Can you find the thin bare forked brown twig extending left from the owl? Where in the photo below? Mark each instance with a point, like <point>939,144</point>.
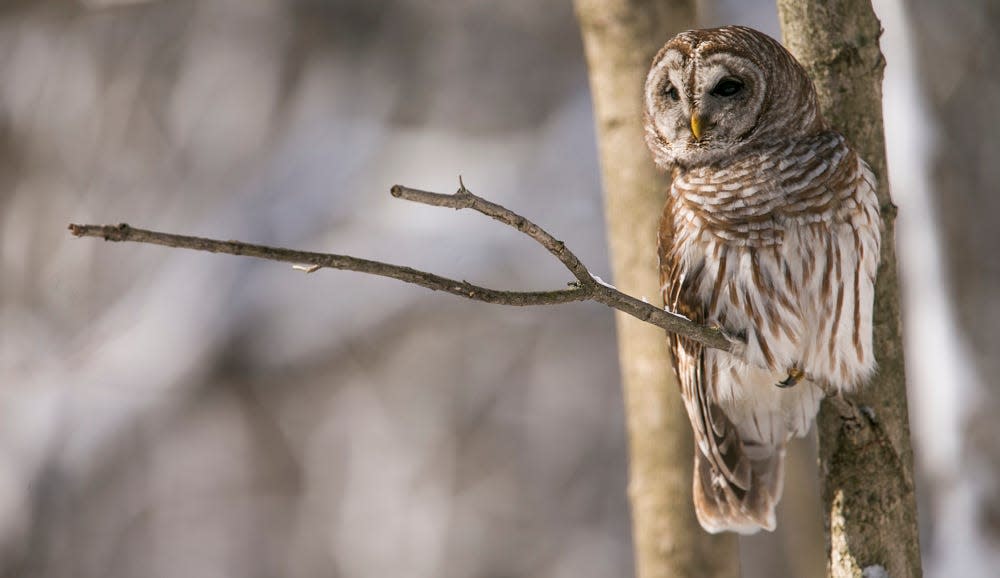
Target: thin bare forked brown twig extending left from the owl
<point>586,288</point>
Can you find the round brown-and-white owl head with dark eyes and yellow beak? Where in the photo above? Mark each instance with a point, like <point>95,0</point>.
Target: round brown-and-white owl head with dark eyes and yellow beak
<point>712,93</point>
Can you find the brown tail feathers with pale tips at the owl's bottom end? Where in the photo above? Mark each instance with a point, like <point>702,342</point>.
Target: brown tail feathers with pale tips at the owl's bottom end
<point>722,505</point>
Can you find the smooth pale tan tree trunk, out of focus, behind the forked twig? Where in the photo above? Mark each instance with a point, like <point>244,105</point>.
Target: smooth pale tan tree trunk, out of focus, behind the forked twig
<point>620,39</point>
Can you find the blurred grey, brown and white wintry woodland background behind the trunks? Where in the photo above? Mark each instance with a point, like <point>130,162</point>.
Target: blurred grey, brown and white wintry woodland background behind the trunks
<point>168,413</point>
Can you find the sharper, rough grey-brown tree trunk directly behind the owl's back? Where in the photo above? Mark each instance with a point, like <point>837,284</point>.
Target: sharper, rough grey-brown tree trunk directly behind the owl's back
<point>868,490</point>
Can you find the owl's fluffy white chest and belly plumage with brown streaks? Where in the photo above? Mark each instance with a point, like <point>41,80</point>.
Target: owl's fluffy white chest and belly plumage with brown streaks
<point>781,245</point>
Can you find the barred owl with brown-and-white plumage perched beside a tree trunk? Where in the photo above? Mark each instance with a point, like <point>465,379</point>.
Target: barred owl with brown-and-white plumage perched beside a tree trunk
<point>771,232</point>
